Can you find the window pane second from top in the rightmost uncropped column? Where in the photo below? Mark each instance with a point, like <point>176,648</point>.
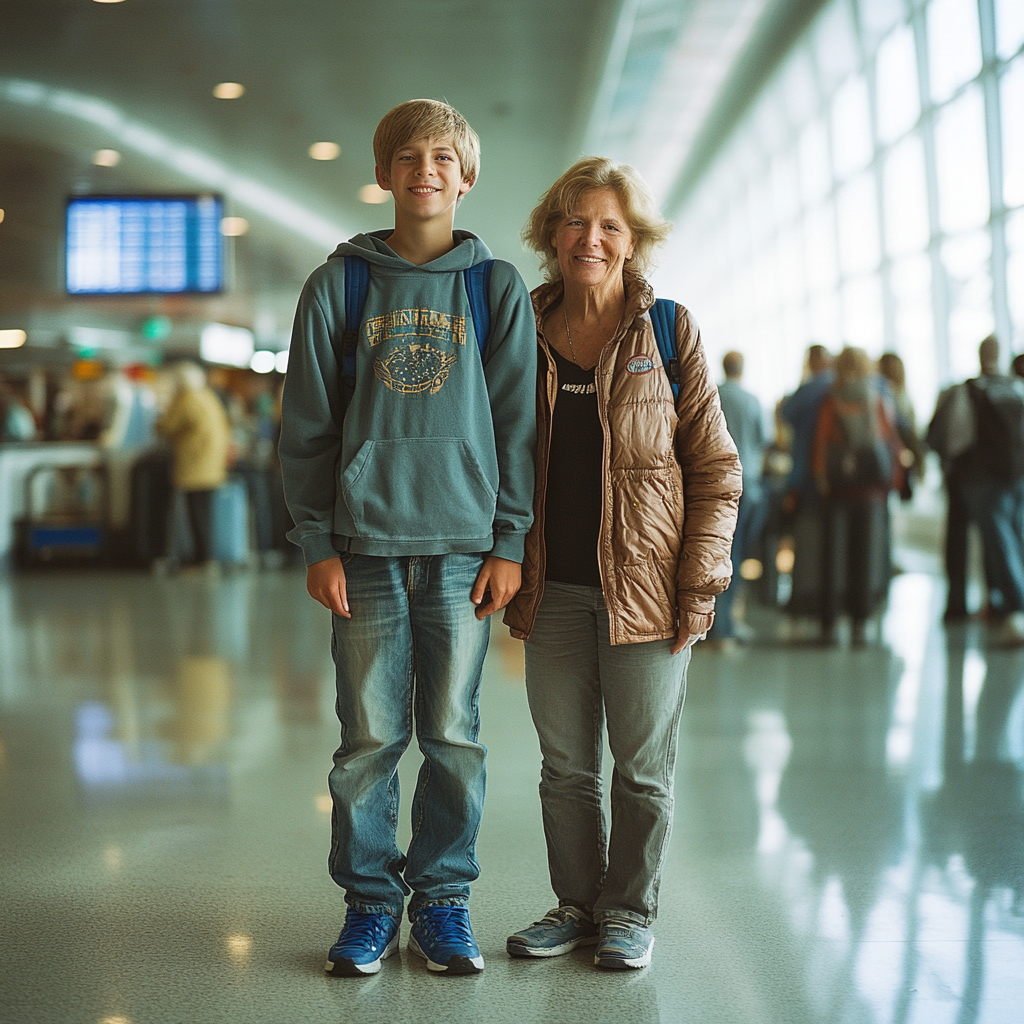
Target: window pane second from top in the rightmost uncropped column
<point>962,163</point>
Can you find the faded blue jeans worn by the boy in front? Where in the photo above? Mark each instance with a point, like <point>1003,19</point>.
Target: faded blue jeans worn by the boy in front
<point>413,652</point>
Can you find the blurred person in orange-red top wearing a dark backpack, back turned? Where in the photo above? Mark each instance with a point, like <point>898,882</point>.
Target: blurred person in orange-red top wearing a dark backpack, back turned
<point>856,460</point>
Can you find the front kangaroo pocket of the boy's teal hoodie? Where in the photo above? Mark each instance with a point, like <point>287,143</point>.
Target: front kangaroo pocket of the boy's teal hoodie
<point>418,489</point>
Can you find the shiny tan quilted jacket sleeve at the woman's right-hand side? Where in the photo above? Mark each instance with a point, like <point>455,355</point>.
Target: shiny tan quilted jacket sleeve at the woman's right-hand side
<point>712,483</point>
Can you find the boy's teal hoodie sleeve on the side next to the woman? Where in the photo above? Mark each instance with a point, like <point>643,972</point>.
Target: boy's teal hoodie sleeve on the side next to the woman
<point>510,370</point>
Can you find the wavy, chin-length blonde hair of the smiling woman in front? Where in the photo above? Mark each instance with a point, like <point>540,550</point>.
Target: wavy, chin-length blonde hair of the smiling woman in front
<point>647,226</point>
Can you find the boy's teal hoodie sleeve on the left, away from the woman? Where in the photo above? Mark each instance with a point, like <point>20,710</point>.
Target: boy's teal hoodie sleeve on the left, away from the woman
<point>311,425</point>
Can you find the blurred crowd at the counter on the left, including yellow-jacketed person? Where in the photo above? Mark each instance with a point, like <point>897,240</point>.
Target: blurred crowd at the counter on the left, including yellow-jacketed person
<point>187,431</point>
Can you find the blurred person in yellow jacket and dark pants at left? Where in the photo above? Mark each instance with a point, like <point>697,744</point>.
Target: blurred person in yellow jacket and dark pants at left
<point>197,428</point>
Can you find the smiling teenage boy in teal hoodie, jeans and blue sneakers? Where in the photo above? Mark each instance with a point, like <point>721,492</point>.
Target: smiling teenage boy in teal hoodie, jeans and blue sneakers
<point>412,493</point>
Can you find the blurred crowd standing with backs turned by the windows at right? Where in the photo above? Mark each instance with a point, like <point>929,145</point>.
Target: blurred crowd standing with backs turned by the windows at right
<point>818,495</point>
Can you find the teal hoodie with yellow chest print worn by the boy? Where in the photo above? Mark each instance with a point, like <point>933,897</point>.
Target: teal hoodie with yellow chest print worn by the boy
<point>435,453</point>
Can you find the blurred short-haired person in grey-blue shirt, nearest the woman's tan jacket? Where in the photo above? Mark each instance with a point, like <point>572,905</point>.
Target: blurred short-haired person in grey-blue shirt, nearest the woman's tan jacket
<point>745,419</point>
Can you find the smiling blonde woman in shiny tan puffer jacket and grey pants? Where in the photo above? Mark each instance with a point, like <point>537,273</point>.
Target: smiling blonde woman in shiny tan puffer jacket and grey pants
<point>634,513</point>
